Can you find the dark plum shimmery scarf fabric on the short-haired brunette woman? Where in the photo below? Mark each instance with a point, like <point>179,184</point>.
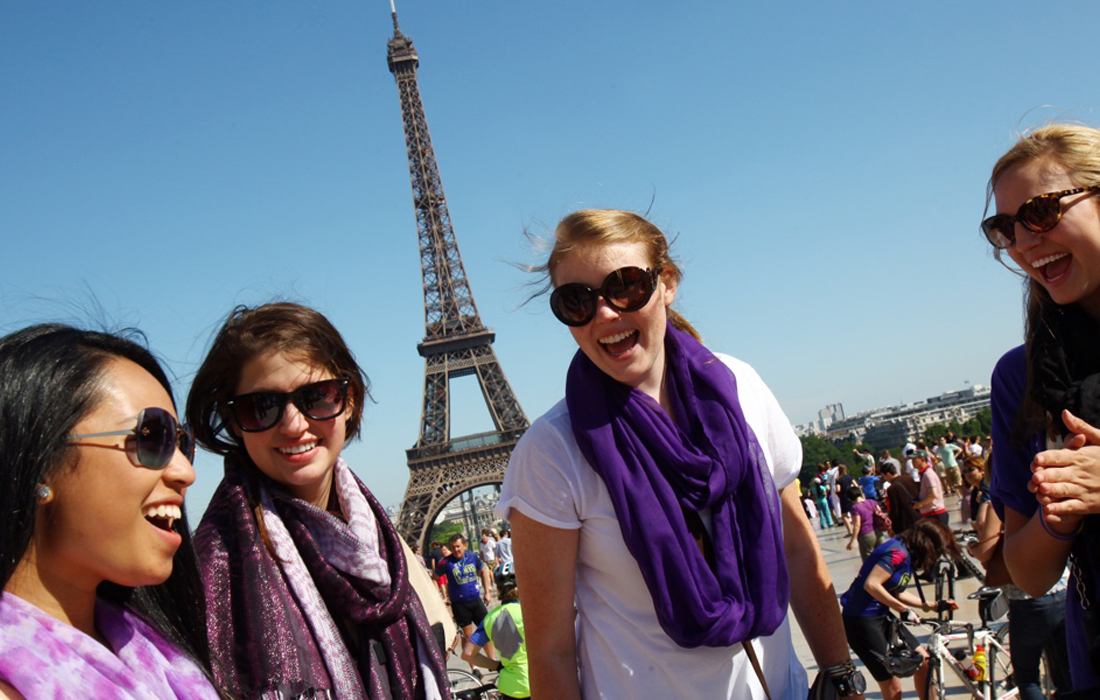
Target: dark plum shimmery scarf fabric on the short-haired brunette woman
<point>262,636</point>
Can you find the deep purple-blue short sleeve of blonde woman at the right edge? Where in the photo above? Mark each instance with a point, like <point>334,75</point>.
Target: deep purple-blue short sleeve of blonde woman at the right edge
<point>1011,469</point>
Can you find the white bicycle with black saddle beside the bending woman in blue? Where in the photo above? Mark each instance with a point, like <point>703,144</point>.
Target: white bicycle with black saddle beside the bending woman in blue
<point>953,646</point>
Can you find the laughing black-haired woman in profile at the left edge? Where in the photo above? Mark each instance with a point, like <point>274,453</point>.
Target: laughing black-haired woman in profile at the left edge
<point>101,592</point>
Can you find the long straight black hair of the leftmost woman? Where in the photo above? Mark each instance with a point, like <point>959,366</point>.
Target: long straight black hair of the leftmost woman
<point>52,377</point>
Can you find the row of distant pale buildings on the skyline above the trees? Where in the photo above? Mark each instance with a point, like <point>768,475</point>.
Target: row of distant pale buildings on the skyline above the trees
<point>897,425</point>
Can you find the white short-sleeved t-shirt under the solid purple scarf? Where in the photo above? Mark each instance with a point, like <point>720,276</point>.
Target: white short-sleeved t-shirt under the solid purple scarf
<point>622,651</point>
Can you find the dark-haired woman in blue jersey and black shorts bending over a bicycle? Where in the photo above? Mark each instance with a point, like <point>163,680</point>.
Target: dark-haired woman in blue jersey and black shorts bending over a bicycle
<point>881,587</point>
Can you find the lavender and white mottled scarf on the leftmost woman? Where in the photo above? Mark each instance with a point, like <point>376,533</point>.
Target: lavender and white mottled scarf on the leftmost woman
<point>43,658</point>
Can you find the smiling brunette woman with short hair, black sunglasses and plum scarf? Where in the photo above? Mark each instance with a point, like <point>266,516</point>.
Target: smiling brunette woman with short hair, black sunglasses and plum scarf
<point>310,588</point>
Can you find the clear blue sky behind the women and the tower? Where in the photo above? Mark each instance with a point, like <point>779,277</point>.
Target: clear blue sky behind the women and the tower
<point>822,167</point>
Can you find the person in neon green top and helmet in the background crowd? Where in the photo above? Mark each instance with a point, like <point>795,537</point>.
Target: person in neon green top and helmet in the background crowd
<point>504,628</point>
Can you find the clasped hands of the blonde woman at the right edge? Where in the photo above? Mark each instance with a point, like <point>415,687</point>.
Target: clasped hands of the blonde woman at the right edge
<point>1066,482</point>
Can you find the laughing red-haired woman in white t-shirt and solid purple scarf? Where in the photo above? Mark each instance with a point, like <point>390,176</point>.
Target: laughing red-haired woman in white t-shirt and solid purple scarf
<point>659,496</point>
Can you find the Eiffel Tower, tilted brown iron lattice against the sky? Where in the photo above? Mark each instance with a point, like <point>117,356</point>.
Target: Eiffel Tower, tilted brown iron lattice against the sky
<point>456,342</point>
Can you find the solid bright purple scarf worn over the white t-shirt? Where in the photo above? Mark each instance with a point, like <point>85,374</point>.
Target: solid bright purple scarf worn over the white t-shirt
<point>661,471</point>
